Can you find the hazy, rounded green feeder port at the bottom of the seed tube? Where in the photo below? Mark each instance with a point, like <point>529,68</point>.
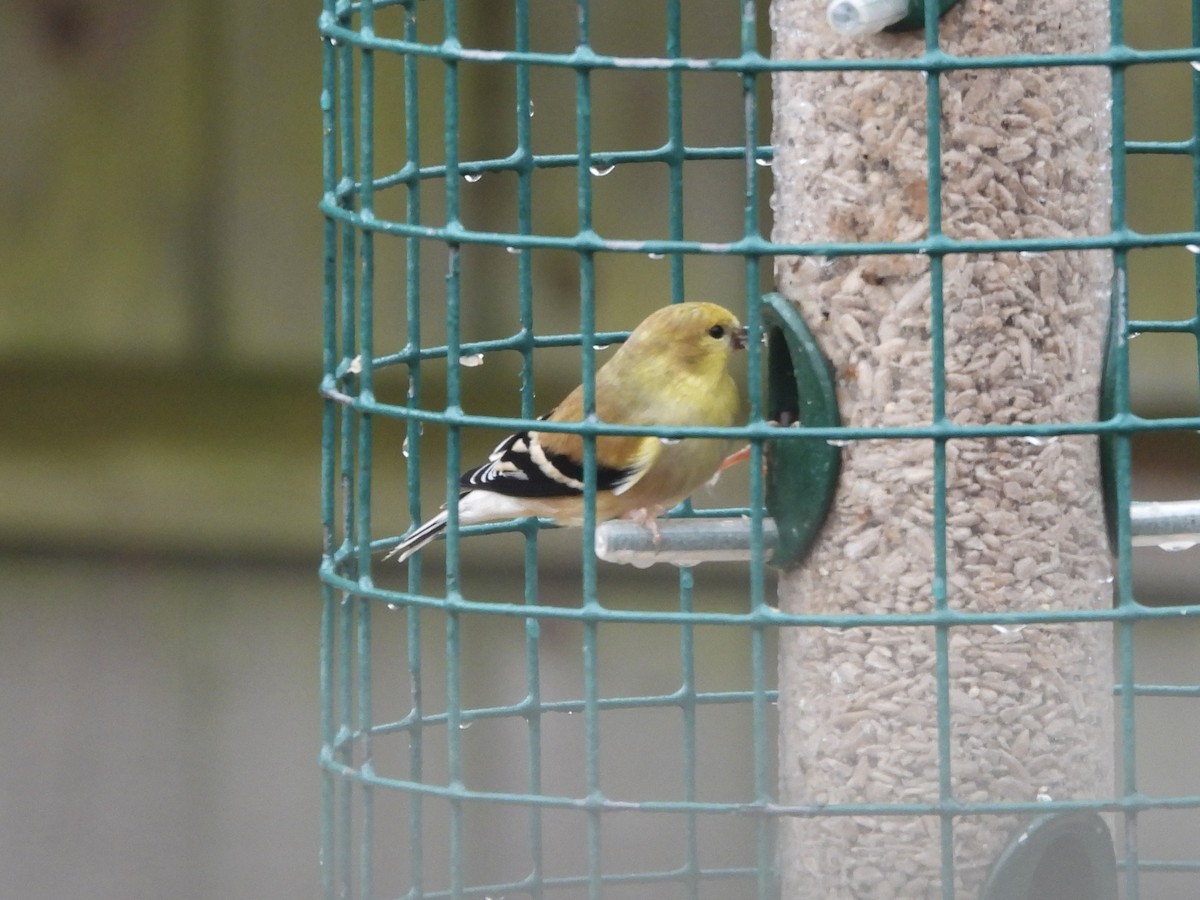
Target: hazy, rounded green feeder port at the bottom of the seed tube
<point>1058,857</point>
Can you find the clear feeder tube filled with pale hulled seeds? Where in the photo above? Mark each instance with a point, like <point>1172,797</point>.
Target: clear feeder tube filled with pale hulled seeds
<point>951,290</point>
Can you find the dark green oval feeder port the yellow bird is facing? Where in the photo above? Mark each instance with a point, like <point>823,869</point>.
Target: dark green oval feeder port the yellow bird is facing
<point>802,475</point>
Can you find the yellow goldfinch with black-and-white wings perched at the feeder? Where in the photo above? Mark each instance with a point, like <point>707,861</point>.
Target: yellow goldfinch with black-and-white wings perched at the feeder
<point>671,371</point>
